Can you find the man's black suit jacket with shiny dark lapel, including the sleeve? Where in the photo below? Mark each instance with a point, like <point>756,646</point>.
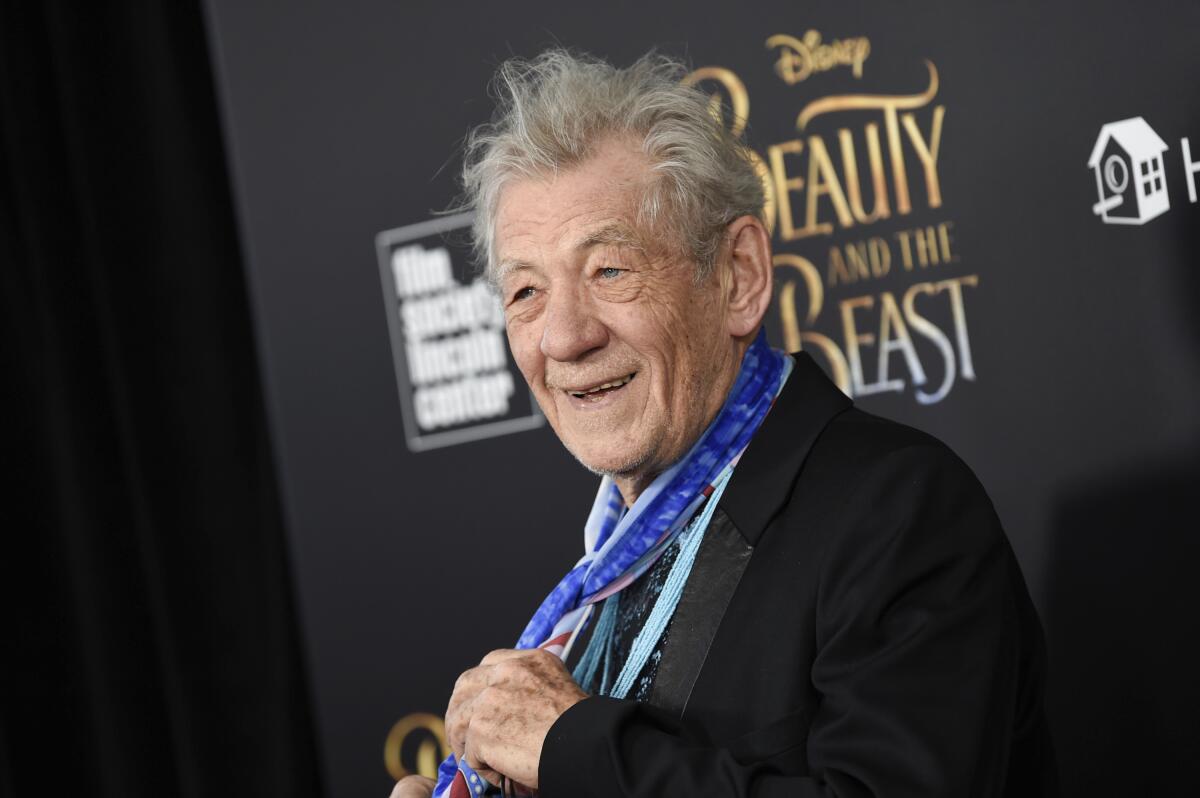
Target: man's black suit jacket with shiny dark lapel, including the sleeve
<point>856,625</point>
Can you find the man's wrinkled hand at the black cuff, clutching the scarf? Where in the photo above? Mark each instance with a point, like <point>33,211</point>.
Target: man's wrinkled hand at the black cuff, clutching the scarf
<point>501,711</point>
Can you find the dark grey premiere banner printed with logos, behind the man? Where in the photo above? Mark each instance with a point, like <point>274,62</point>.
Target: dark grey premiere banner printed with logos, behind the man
<point>986,225</point>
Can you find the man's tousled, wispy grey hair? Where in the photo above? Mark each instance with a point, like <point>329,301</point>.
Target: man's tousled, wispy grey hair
<point>556,110</point>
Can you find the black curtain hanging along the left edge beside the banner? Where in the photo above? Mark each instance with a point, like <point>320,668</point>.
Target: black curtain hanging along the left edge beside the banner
<point>149,637</point>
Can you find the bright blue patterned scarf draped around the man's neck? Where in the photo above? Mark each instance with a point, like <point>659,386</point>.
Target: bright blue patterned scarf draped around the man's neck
<point>621,547</point>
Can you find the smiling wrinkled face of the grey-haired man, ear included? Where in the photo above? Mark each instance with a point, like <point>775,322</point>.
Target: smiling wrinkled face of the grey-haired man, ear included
<point>627,356</point>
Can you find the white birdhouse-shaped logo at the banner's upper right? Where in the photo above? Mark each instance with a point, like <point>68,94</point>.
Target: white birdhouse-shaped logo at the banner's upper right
<point>1127,160</point>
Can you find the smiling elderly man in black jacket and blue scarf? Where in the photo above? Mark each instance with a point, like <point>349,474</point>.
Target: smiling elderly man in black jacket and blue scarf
<point>781,595</point>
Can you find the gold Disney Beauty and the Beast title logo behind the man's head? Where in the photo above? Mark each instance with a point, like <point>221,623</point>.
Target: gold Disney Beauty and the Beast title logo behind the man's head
<point>878,297</point>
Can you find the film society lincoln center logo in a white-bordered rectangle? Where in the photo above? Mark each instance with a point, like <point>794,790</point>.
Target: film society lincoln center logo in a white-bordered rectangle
<point>457,379</point>
